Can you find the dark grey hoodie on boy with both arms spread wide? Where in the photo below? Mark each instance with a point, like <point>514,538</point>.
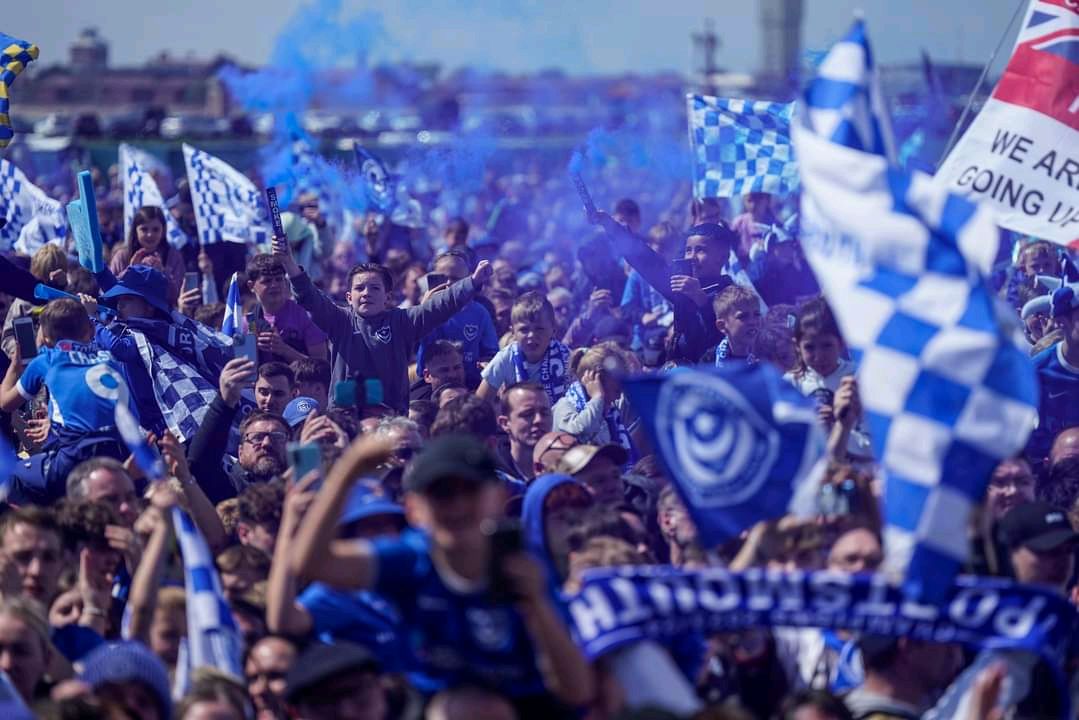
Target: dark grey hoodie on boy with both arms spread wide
<point>380,347</point>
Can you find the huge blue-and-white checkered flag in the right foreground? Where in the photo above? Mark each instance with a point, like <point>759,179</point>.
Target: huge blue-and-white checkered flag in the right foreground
<point>904,265</point>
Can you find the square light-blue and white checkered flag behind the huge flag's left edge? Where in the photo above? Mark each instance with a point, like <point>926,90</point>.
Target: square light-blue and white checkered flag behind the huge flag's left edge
<point>741,146</point>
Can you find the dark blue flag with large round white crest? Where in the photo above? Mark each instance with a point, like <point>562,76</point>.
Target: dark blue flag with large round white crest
<point>739,442</point>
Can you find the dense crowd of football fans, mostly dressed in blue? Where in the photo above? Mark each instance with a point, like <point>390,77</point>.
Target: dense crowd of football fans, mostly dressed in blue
<point>462,381</point>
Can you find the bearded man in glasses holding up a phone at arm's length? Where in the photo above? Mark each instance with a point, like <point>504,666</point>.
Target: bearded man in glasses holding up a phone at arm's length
<point>264,437</point>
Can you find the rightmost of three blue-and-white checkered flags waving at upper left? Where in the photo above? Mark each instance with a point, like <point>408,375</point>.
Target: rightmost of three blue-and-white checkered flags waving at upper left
<point>228,207</point>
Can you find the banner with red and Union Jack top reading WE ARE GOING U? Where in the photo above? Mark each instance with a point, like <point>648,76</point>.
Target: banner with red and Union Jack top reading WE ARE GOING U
<point>1021,155</point>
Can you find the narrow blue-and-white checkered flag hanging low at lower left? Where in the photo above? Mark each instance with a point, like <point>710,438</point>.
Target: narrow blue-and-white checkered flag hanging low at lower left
<point>213,637</point>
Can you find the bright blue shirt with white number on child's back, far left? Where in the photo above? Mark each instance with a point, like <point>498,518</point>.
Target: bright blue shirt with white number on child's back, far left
<point>85,384</point>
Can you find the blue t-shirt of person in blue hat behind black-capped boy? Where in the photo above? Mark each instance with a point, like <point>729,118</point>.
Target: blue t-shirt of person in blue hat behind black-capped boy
<point>363,618</point>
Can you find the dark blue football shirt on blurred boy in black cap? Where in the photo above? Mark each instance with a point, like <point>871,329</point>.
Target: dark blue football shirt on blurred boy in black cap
<point>458,637</point>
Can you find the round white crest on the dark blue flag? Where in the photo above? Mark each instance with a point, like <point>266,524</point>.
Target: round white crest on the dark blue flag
<point>721,445</point>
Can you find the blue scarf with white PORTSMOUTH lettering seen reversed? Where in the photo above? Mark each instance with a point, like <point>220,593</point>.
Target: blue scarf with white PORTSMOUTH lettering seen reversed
<point>623,606</point>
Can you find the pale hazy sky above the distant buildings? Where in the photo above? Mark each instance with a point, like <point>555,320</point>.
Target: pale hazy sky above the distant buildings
<point>578,36</point>
